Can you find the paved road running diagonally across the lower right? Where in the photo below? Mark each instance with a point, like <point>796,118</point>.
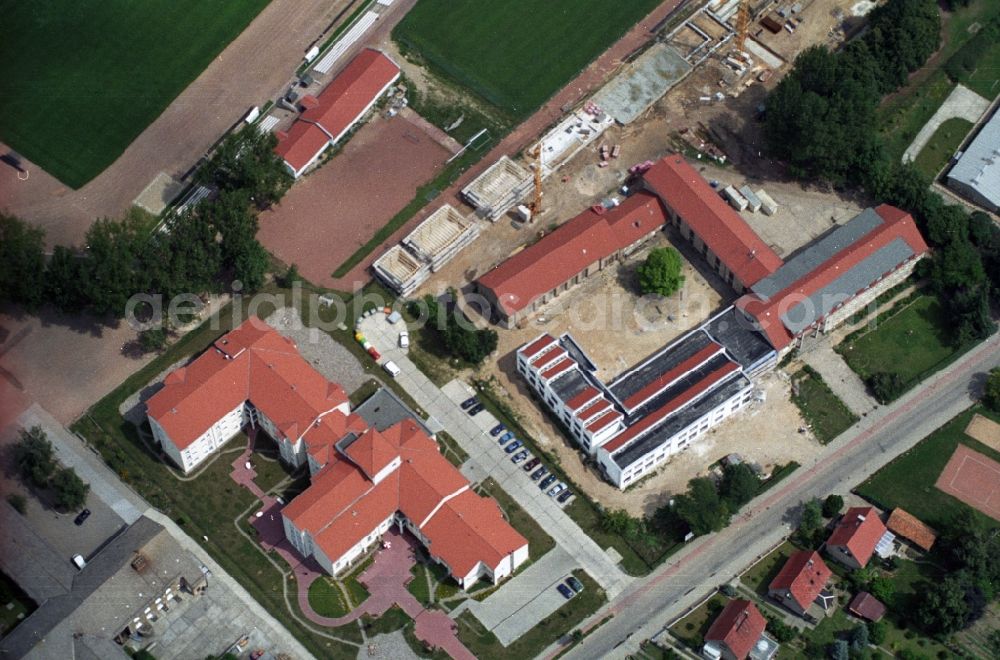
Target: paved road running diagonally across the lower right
<point>716,559</point>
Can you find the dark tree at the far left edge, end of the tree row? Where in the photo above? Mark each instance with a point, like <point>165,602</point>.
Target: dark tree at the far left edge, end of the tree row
<point>22,262</point>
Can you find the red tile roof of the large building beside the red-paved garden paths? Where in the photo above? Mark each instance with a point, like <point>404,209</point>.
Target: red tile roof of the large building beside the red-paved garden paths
<point>342,505</point>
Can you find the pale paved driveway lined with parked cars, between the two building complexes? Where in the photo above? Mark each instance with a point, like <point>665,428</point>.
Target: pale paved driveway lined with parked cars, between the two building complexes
<point>487,460</point>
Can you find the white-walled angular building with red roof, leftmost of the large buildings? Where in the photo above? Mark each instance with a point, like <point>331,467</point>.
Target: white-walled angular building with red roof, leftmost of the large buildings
<point>250,376</point>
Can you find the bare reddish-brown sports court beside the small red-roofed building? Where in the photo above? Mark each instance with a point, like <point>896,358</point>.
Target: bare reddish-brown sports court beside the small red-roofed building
<point>335,210</point>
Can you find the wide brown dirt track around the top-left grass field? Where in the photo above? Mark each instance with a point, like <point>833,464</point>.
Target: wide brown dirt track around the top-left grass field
<point>255,66</point>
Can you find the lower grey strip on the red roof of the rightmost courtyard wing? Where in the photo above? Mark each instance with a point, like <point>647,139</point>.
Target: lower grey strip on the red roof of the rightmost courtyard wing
<point>842,289</point>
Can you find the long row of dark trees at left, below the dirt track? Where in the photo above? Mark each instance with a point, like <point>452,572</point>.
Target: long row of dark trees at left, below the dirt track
<point>205,245</point>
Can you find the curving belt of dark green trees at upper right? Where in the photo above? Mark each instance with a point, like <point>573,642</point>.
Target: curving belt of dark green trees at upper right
<point>821,120</point>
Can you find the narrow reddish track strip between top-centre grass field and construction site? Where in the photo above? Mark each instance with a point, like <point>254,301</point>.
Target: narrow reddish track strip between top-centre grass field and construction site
<point>589,80</point>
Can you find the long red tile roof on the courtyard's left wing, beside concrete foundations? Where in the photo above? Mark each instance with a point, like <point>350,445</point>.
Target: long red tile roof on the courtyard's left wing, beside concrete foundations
<point>559,256</point>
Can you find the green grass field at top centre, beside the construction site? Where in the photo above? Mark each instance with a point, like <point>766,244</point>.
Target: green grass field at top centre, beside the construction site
<point>516,53</point>
